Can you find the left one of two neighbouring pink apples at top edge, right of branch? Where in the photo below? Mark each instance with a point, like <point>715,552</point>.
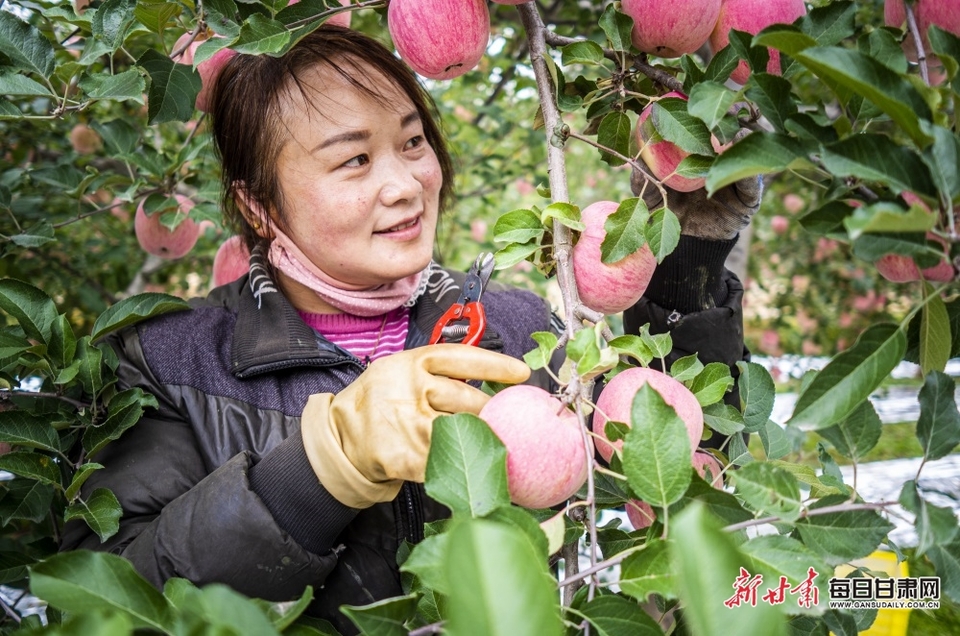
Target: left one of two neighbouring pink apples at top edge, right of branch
<point>670,29</point>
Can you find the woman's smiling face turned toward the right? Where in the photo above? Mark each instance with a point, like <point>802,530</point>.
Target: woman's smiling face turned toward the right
<point>360,183</point>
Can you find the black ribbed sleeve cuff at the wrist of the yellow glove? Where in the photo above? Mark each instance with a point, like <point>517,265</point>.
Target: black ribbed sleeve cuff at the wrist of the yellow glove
<point>288,487</point>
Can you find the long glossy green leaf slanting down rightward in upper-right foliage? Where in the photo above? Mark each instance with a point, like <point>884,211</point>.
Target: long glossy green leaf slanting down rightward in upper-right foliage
<point>891,92</point>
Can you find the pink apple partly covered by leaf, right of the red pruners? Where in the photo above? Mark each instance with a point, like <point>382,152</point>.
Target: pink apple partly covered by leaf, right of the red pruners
<point>608,288</point>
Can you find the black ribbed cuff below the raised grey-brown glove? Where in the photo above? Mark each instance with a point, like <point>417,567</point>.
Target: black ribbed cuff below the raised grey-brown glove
<point>691,277</point>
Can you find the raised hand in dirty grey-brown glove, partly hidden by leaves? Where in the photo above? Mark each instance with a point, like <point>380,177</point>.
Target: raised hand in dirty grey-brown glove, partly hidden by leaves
<point>720,217</point>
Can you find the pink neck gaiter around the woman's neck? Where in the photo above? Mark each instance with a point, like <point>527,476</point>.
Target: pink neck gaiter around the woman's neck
<point>351,299</point>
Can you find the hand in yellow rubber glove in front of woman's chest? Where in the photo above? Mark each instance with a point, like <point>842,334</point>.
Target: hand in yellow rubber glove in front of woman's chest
<point>365,441</point>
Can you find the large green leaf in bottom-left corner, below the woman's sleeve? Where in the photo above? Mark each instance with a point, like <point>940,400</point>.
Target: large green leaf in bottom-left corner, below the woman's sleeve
<point>80,581</point>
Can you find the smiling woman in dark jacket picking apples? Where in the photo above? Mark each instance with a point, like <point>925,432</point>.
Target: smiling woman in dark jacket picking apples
<point>295,405</point>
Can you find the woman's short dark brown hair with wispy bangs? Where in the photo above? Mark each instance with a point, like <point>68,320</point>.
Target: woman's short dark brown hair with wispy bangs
<point>248,130</point>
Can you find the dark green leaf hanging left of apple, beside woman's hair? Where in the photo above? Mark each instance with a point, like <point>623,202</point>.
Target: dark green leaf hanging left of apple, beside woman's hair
<point>173,88</point>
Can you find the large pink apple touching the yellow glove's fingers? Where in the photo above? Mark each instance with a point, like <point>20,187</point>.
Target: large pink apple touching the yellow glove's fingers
<point>546,458</point>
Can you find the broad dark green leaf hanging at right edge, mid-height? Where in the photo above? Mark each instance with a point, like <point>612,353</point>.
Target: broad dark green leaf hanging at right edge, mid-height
<point>938,427</point>
